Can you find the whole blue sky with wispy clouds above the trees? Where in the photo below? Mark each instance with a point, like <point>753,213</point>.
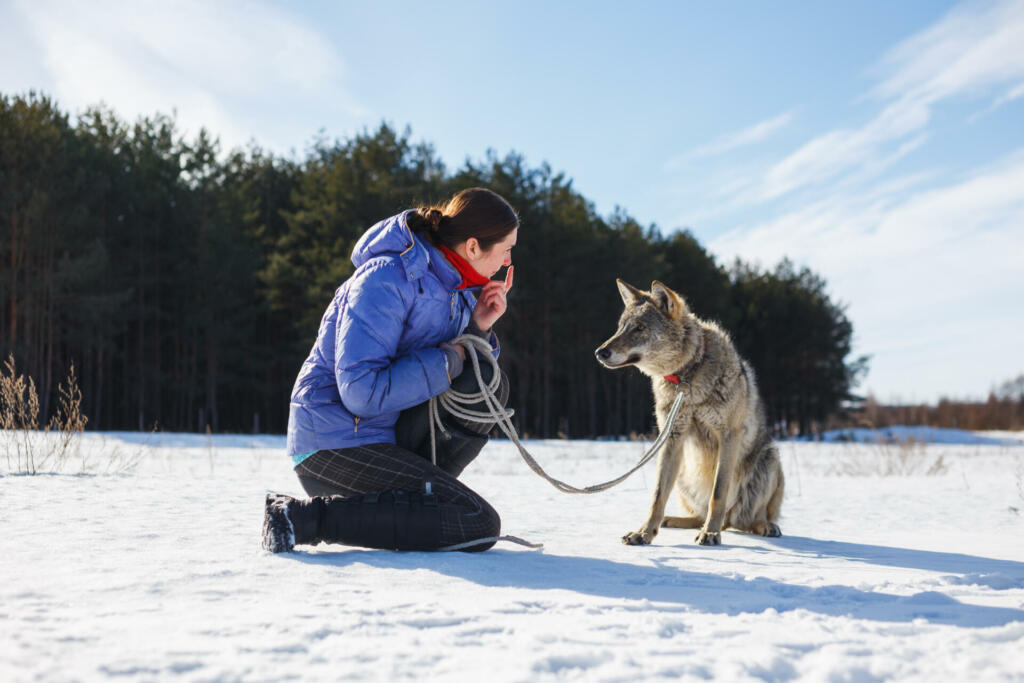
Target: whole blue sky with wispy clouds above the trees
<point>880,144</point>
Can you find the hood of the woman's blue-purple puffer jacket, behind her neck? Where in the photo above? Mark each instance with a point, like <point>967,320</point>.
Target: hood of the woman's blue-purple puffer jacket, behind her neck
<point>393,237</point>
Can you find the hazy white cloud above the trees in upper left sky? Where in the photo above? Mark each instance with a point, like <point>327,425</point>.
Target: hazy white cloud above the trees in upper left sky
<point>242,70</point>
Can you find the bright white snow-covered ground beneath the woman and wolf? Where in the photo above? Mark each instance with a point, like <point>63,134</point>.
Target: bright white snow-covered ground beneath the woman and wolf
<point>898,563</point>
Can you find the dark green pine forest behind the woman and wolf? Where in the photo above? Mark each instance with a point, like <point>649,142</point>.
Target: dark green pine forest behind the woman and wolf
<point>187,285</point>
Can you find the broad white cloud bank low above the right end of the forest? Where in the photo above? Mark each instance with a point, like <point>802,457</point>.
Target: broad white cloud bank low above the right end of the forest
<point>933,276</point>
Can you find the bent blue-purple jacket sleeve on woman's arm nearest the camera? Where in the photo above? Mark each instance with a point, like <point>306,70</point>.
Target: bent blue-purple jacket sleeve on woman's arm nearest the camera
<point>372,378</point>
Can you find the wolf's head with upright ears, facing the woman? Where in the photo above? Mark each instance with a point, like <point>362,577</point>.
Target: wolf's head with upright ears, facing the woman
<point>657,332</point>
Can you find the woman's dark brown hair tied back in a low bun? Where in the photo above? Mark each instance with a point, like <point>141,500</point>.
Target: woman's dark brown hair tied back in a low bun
<point>477,212</point>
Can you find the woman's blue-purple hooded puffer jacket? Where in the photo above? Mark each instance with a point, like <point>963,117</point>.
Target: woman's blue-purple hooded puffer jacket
<point>378,348</point>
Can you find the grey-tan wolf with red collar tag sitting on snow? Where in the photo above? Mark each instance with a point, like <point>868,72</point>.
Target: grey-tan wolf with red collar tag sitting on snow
<point>719,455</point>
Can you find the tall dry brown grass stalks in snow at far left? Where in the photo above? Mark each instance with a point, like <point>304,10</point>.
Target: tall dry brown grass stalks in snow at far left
<point>32,448</point>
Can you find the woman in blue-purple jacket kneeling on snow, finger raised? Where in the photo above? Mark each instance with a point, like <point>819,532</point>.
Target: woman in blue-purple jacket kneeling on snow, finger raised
<point>358,429</point>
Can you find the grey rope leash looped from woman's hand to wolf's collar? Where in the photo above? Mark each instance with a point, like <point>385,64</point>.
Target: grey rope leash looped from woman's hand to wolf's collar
<point>455,403</point>
